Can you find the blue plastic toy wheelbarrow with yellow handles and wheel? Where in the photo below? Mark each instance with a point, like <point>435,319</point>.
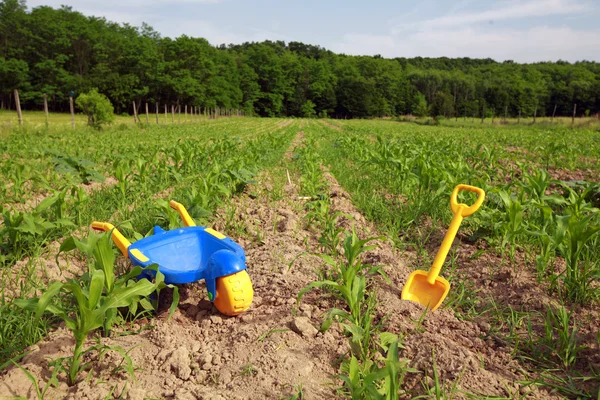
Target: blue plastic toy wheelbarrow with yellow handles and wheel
<point>190,254</point>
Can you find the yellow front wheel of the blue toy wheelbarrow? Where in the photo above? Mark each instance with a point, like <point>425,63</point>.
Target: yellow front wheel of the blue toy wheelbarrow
<point>234,293</point>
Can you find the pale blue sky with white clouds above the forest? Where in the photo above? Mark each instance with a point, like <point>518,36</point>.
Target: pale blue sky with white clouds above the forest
<point>520,30</point>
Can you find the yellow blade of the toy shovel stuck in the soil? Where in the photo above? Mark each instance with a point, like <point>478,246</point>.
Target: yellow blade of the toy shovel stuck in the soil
<point>417,289</point>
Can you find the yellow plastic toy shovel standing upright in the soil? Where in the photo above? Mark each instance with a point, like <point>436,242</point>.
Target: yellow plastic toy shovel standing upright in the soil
<point>428,288</point>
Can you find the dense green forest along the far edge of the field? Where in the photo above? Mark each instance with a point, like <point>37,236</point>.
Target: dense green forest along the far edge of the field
<point>59,51</point>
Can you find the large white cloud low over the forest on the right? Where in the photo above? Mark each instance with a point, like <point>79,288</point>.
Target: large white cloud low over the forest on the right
<point>470,35</point>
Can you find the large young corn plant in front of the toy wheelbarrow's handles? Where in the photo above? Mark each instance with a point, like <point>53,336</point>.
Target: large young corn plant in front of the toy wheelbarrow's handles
<point>98,296</point>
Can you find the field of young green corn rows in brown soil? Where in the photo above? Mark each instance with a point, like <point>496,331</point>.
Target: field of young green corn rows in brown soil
<point>333,216</point>
